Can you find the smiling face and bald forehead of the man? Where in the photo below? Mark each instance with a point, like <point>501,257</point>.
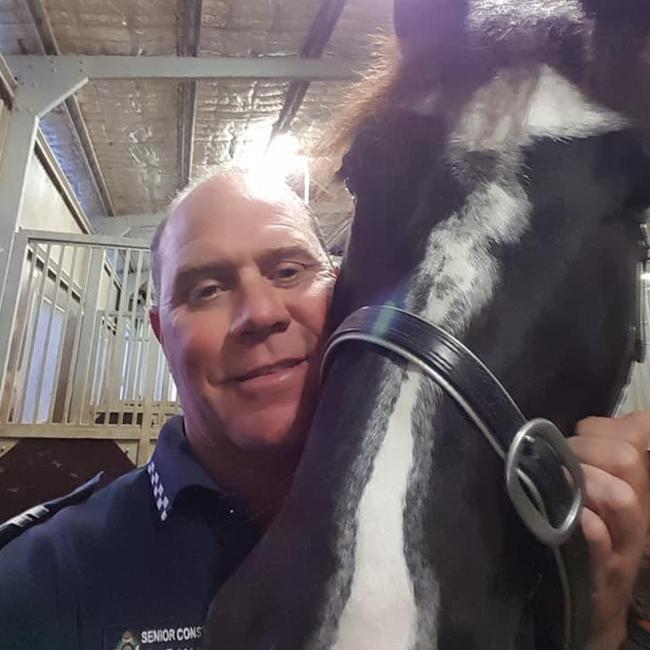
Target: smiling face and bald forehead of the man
<point>245,288</point>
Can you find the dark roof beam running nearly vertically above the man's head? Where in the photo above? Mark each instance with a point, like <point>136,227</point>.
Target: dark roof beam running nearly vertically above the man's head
<point>191,12</point>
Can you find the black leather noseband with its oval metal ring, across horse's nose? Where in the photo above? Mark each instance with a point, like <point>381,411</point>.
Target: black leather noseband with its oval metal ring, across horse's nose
<point>480,395</point>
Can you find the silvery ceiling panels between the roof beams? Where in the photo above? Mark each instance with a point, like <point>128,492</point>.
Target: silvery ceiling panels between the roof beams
<point>133,125</point>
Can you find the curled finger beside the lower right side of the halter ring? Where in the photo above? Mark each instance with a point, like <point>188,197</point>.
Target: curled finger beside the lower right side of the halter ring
<point>617,504</point>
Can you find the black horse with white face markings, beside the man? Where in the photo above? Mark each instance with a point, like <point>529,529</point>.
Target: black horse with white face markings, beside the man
<point>500,173</point>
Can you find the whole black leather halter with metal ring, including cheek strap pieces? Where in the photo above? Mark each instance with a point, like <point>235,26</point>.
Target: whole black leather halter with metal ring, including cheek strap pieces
<point>542,474</point>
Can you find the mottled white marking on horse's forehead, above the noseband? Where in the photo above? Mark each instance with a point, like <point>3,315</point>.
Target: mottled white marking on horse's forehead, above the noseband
<point>502,118</point>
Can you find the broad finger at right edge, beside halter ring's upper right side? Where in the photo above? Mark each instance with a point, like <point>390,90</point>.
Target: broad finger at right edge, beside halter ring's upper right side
<point>618,458</point>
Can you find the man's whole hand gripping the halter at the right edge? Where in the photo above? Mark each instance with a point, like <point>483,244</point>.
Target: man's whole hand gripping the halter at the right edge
<point>613,454</point>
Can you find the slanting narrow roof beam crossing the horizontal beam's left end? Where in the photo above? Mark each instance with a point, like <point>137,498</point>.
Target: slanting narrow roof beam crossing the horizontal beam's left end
<point>49,46</point>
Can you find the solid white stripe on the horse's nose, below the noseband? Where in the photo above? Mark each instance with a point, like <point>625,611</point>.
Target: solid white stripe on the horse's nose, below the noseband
<point>381,612</point>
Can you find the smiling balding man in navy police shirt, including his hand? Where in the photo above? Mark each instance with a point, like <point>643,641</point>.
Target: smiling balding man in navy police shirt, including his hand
<point>243,288</point>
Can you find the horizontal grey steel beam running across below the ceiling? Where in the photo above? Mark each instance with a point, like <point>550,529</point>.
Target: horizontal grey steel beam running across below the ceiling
<point>30,68</point>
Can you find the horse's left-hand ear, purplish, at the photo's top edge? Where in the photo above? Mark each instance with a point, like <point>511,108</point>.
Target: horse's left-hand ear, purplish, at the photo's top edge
<point>431,27</point>
